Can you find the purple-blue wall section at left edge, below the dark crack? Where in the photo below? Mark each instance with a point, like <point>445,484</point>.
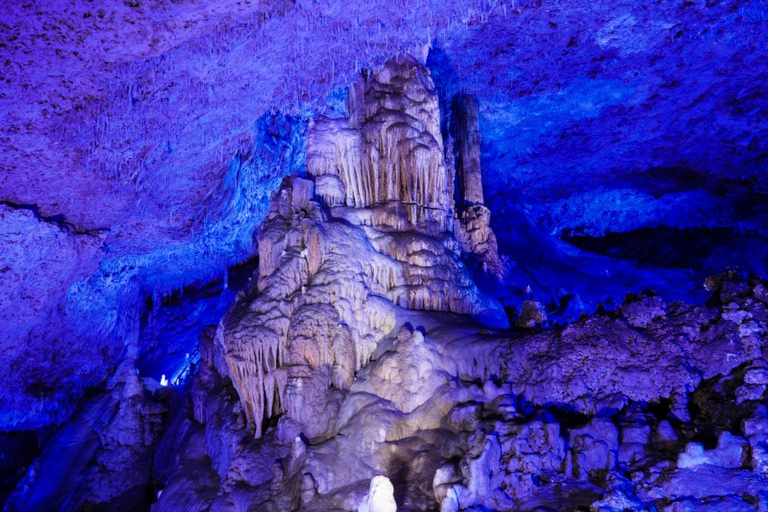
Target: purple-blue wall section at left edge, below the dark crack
<point>39,258</point>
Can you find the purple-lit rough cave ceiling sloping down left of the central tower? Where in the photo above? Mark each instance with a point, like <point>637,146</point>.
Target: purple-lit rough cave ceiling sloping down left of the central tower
<point>140,123</point>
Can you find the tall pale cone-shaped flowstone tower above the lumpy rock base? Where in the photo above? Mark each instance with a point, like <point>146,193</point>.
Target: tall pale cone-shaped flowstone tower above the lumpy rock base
<point>370,232</point>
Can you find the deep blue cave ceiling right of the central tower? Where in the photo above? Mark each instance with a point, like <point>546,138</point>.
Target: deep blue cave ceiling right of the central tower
<point>589,121</point>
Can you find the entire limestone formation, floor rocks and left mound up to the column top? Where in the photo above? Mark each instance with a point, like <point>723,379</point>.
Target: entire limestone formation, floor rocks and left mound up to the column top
<point>362,369</point>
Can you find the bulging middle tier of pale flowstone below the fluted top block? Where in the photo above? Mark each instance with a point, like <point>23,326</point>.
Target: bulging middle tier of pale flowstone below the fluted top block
<point>327,294</point>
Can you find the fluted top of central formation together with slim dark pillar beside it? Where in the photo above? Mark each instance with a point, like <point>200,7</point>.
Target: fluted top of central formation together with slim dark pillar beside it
<point>385,165</point>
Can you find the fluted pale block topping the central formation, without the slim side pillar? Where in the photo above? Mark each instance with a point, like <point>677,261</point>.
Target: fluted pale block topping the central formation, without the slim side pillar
<point>389,149</point>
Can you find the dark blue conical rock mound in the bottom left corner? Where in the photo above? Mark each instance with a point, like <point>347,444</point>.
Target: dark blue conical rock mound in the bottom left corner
<point>102,458</point>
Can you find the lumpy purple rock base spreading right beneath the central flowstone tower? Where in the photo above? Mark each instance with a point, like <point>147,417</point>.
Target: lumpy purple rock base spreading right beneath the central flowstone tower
<point>460,418</point>
